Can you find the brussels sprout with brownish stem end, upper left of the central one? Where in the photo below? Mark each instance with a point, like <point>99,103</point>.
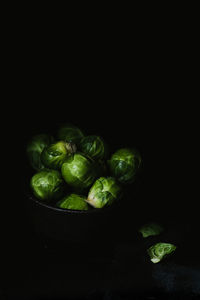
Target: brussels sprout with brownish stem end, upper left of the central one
<point>55,154</point>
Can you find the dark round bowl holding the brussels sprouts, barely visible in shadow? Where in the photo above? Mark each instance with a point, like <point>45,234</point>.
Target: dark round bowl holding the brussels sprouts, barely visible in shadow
<point>70,225</point>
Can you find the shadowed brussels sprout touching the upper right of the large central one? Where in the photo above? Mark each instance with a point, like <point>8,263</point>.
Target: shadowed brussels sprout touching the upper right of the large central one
<point>94,146</point>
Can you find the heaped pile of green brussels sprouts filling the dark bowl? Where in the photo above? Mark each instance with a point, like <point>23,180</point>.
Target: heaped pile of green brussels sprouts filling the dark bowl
<point>76,171</point>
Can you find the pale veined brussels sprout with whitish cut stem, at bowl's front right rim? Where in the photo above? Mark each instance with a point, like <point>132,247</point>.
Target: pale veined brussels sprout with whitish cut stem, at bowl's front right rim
<point>104,191</point>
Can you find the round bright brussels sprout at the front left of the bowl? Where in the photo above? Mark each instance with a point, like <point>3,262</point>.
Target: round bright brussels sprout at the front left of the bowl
<point>47,185</point>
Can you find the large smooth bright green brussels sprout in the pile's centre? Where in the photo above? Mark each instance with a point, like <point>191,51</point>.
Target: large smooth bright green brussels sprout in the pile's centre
<point>79,171</point>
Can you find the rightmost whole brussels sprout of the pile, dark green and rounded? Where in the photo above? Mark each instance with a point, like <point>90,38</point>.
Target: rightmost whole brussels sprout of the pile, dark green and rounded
<point>124,164</point>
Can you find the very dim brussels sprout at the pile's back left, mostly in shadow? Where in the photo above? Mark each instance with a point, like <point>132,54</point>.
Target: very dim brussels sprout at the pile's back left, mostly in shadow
<point>34,149</point>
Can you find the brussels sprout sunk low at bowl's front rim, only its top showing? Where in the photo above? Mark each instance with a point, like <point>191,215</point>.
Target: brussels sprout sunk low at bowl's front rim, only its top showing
<point>73,201</point>
